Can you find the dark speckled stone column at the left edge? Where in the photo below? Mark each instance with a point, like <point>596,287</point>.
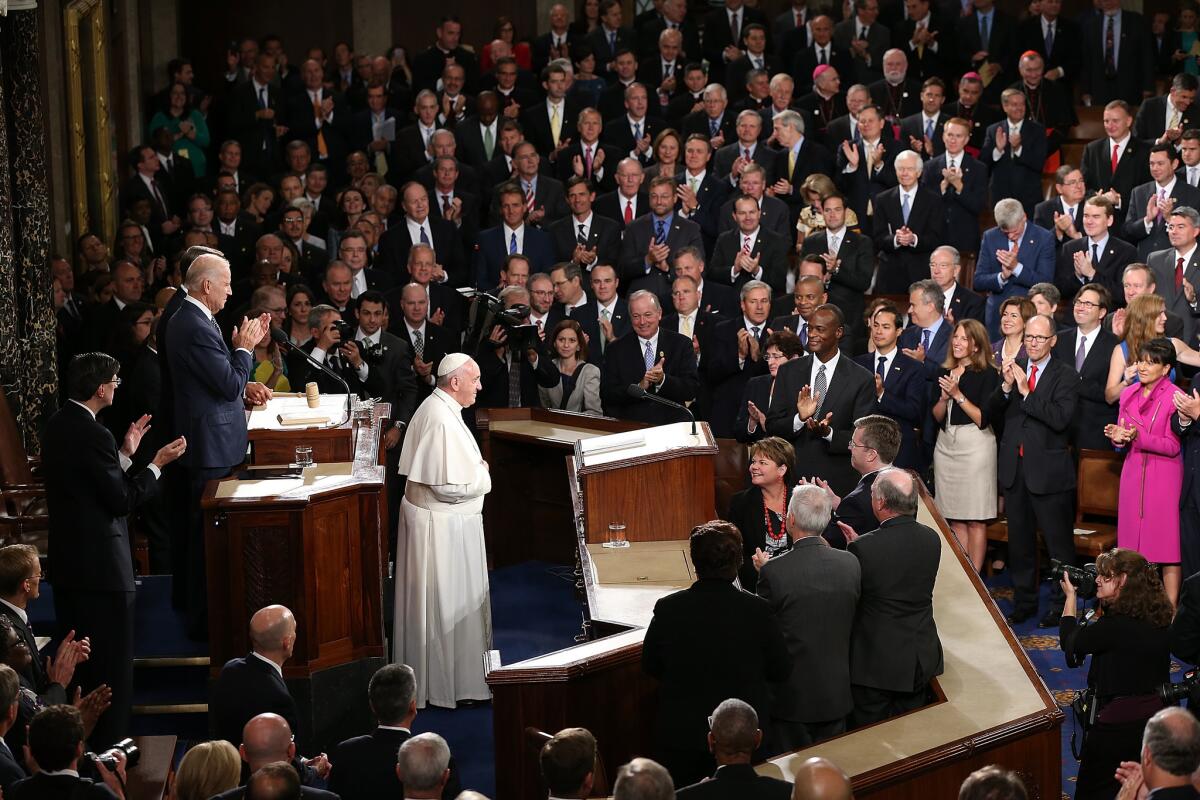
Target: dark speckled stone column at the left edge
<point>27,309</point>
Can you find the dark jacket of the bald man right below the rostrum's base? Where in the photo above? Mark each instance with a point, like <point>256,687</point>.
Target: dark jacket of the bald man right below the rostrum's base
<point>247,688</point>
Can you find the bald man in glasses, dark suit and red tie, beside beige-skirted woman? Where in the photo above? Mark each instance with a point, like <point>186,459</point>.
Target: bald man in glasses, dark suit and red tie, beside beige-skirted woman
<point>1037,399</point>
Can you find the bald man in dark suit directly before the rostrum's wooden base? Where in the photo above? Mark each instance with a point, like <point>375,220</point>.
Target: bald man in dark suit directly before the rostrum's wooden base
<point>254,685</point>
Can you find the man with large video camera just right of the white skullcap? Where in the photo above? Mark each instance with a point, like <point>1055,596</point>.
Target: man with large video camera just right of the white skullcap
<point>509,380</point>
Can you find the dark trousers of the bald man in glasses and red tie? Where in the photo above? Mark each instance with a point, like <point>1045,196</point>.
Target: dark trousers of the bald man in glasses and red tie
<point>1028,514</point>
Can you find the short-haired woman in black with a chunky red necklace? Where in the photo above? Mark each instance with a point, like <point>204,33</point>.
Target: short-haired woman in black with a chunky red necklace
<point>761,512</point>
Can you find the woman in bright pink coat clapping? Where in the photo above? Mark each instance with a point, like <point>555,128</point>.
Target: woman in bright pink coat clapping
<point>1153,476</point>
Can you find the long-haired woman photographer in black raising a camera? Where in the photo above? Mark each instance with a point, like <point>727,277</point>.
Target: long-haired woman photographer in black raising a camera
<point>1127,640</point>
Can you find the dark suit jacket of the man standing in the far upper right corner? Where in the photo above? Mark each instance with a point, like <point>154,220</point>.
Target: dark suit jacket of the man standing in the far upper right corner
<point>1136,68</point>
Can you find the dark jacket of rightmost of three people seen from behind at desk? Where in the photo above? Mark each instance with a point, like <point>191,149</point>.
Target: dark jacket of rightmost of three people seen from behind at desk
<point>896,645</point>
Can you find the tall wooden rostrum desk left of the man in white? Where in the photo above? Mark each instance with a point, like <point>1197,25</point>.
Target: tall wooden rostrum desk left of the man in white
<point>314,544</point>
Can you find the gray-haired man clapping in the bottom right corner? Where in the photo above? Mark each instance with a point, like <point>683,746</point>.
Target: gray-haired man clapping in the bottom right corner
<point>1171,754</point>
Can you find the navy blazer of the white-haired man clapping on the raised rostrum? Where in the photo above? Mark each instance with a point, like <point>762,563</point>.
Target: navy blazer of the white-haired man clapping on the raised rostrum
<point>209,383</point>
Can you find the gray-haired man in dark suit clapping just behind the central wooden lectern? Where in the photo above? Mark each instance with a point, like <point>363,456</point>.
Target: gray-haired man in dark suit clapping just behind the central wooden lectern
<point>657,360</point>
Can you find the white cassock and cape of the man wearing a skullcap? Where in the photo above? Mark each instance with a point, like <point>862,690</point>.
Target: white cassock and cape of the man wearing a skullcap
<point>443,627</point>
